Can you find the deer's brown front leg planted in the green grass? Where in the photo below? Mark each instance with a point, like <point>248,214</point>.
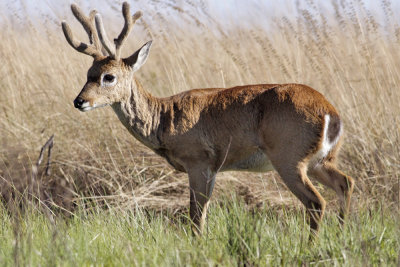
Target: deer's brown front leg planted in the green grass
<point>201,184</point>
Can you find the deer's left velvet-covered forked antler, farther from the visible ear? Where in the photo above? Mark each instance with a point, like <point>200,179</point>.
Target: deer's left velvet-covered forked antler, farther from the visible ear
<point>94,48</point>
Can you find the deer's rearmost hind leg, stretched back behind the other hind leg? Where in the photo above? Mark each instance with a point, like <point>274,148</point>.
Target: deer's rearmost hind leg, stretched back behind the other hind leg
<point>327,174</point>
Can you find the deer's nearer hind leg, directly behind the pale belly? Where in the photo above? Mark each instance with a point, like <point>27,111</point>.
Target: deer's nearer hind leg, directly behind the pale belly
<point>297,181</point>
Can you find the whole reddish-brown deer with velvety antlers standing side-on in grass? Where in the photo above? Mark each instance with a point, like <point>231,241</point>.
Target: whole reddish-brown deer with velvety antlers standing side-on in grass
<point>289,128</point>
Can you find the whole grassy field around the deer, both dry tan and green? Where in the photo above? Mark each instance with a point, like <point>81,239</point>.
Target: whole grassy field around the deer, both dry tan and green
<point>111,201</point>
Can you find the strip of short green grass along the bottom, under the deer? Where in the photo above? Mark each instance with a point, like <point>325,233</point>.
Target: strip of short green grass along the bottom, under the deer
<point>234,236</point>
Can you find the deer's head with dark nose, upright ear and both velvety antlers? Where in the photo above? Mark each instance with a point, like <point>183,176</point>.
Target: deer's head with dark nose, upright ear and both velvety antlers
<point>109,78</point>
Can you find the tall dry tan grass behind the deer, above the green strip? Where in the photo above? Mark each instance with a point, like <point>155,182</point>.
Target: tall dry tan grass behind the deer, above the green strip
<point>349,55</point>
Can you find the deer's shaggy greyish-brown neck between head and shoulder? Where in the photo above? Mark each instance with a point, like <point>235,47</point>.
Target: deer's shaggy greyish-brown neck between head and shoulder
<point>138,112</point>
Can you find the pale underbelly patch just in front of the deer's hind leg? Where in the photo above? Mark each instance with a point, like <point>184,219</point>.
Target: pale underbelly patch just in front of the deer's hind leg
<point>256,162</point>
